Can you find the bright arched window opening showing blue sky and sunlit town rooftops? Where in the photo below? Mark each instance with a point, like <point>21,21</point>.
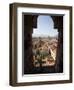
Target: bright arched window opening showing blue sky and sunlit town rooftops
<point>45,41</point>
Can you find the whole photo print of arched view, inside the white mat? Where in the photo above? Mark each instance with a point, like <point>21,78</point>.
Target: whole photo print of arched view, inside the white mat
<point>43,44</point>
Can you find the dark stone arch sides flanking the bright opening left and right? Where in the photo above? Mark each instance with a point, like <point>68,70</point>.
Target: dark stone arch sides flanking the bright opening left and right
<point>30,22</point>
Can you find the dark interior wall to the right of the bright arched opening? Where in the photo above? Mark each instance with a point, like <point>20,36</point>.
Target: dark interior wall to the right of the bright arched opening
<point>58,23</point>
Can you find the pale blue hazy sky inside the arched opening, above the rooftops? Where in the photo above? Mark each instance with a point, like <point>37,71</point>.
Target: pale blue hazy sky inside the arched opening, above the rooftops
<point>44,27</point>
